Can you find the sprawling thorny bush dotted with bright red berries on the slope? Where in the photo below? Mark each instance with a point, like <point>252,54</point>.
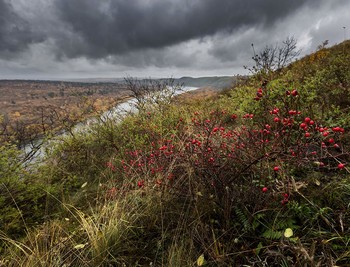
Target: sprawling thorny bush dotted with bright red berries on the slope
<point>222,154</point>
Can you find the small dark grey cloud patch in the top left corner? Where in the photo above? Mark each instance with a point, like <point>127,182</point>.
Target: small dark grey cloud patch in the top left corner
<point>15,33</point>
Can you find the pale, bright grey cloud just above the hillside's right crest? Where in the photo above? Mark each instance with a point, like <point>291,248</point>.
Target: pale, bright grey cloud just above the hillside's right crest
<point>310,26</point>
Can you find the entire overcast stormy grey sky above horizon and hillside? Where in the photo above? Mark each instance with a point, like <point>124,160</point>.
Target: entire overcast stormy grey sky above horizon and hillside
<point>65,39</point>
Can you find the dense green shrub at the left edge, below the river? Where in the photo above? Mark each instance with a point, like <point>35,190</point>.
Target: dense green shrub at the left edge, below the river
<point>23,198</point>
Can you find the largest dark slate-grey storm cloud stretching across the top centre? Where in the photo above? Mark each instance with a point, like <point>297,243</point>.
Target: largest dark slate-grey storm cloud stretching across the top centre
<point>100,28</point>
